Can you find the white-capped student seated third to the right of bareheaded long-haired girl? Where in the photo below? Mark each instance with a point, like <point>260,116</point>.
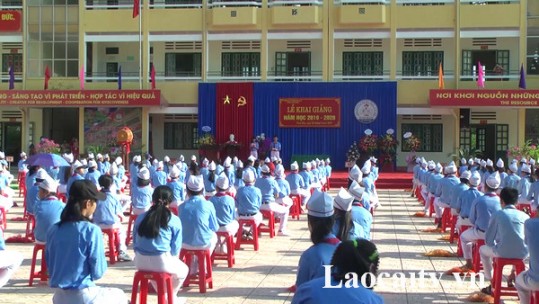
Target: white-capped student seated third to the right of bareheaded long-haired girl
<point>249,199</point>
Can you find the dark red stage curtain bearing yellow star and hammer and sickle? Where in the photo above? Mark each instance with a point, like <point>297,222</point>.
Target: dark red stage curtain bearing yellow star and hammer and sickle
<point>234,114</point>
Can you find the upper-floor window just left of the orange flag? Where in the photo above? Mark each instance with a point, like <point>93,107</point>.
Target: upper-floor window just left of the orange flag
<point>421,63</point>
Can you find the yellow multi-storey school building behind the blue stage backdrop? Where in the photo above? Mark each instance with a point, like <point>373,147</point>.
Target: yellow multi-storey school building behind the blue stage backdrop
<point>91,43</point>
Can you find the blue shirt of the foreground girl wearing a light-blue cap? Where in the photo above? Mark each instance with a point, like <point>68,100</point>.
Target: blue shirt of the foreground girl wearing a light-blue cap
<point>312,260</point>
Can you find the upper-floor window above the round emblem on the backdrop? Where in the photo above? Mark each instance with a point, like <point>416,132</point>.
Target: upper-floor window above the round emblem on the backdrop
<point>363,63</point>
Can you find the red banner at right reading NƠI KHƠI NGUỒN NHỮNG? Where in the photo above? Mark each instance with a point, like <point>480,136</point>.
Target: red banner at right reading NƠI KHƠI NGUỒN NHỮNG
<point>484,98</point>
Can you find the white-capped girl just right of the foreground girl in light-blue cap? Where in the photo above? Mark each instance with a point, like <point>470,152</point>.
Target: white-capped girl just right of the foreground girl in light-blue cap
<point>344,228</point>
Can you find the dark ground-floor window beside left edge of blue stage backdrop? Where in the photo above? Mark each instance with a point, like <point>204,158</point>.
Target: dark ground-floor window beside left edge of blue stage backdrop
<point>181,135</point>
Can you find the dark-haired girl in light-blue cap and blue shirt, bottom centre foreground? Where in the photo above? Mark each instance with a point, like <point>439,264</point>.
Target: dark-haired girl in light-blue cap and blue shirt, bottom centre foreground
<point>320,213</point>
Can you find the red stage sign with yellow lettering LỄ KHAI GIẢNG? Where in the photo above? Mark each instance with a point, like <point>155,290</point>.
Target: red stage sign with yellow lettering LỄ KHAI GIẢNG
<point>310,112</point>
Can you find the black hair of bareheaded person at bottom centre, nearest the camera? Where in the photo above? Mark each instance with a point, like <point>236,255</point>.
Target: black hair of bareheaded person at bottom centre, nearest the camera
<point>359,256</point>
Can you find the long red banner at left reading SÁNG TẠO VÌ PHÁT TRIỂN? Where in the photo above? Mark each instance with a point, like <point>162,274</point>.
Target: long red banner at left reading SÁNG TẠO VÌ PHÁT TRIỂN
<point>78,98</point>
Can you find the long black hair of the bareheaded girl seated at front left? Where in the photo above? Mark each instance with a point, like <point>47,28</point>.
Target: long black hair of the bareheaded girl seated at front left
<point>159,215</point>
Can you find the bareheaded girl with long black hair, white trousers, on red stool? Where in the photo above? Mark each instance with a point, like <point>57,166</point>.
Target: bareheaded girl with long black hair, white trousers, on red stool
<point>157,240</point>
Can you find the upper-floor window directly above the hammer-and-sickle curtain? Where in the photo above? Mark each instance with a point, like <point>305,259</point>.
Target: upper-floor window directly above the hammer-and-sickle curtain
<point>240,64</point>
